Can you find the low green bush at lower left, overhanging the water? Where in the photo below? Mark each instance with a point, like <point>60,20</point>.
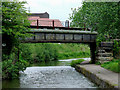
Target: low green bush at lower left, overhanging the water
<point>10,69</point>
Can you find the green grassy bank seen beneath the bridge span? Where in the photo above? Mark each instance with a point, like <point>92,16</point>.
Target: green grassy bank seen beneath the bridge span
<point>42,51</point>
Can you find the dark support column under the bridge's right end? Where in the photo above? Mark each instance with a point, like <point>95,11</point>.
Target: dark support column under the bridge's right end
<point>92,52</point>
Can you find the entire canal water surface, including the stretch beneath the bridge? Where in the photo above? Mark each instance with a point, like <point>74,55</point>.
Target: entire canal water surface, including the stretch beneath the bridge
<point>57,74</point>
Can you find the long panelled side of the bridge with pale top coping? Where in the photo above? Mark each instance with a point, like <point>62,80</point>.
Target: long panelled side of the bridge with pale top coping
<point>61,36</point>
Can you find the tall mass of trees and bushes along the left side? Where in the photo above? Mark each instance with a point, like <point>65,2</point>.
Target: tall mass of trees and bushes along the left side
<point>15,24</point>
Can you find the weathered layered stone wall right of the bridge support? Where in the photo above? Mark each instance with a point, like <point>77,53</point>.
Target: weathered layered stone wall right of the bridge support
<point>104,52</point>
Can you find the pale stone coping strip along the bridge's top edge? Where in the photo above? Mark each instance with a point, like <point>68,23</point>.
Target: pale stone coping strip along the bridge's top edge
<point>63,31</point>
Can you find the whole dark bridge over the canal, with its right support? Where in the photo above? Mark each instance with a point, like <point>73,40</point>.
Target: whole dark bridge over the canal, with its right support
<point>52,34</point>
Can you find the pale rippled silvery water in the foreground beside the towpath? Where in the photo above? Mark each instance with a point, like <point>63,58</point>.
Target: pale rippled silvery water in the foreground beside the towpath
<point>53,77</point>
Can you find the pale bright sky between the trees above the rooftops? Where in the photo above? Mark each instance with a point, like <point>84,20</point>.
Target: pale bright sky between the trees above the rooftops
<point>57,9</point>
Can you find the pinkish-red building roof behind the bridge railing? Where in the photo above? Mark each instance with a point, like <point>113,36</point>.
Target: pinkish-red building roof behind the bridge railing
<point>44,21</point>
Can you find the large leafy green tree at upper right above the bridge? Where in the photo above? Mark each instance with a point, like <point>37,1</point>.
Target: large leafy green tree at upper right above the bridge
<point>101,15</point>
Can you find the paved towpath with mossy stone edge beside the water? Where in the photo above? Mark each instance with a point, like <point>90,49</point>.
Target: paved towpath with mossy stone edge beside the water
<point>102,77</point>
